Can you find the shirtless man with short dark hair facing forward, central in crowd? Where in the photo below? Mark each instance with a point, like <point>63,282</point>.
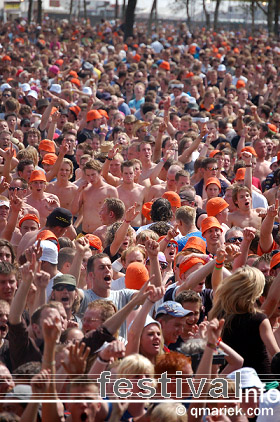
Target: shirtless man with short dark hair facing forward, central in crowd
<point>130,192</point>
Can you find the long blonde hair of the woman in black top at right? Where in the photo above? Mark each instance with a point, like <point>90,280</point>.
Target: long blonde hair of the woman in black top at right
<point>238,293</point>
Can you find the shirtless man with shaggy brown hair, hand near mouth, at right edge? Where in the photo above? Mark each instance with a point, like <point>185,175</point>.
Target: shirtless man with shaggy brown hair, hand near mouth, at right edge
<point>244,216</point>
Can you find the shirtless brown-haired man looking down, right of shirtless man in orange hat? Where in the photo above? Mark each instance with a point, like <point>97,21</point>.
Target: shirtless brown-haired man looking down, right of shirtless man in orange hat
<point>91,195</point>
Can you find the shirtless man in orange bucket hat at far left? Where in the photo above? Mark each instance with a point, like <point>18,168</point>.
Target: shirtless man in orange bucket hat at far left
<point>43,202</point>
